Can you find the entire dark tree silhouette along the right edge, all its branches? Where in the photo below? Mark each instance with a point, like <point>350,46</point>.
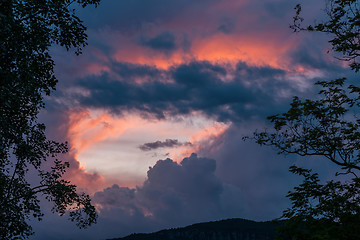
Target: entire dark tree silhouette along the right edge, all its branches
<point>327,126</point>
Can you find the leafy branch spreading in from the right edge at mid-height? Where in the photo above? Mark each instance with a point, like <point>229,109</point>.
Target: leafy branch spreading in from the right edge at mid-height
<point>327,126</point>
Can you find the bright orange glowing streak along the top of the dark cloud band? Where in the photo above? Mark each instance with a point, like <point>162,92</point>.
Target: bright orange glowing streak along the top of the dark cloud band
<point>216,48</point>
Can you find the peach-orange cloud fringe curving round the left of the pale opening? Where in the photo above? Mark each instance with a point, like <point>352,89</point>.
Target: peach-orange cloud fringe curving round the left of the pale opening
<point>86,129</point>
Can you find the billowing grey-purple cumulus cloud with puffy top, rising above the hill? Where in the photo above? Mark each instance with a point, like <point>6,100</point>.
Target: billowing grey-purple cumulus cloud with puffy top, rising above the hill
<point>175,194</point>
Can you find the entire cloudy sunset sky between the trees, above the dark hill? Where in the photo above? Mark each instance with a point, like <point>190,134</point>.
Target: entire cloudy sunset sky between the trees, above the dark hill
<point>156,107</point>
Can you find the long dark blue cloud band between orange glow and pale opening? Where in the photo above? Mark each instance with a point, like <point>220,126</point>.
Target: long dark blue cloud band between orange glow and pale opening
<point>197,86</point>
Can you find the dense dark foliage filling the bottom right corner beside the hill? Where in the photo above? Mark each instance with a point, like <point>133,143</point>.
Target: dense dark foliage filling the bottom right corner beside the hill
<point>319,212</point>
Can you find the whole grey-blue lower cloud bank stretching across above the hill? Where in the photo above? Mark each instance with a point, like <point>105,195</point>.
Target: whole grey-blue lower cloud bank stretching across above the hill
<point>245,181</point>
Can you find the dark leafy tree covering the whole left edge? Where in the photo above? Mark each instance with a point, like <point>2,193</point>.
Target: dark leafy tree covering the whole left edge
<point>28,29</point>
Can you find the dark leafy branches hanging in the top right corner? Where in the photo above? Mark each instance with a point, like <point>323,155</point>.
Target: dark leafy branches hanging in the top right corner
<point>343,24</point>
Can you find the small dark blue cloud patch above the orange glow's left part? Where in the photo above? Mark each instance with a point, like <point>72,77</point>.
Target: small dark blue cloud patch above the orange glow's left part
<point>164,41</point>
